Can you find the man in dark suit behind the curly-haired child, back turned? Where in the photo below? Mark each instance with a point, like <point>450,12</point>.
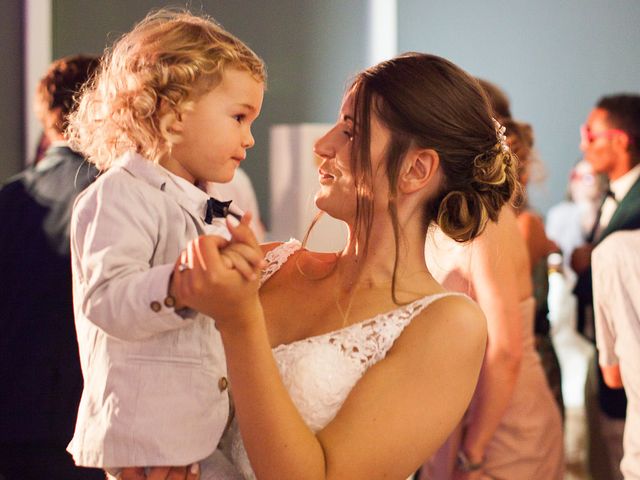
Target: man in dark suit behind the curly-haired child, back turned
<point>40,374</point>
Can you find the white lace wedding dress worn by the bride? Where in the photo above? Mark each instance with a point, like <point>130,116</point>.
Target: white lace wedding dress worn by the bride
<point>319,372</point>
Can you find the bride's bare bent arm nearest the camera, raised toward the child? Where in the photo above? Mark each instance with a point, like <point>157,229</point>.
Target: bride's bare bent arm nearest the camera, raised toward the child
<point>397,415</point>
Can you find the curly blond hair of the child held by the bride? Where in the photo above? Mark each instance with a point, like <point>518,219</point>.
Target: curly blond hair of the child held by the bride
<point>149,79</point>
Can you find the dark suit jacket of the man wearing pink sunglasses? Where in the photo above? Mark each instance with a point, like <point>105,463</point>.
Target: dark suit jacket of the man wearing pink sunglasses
<point>626,217</point>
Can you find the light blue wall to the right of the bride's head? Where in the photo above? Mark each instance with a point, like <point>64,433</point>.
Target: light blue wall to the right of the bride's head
<point>554,58</point>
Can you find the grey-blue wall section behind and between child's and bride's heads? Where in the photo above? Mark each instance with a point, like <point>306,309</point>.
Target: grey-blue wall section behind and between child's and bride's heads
<point>310,47</point>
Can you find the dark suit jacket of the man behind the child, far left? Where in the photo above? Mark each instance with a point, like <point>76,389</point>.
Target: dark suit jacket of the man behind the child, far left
<point>39,365</point>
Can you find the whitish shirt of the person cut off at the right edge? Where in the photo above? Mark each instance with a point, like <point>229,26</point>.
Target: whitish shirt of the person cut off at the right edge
<point>616,295</point>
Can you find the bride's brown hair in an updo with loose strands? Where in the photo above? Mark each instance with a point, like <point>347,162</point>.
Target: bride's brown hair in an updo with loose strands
<point>428,102</point>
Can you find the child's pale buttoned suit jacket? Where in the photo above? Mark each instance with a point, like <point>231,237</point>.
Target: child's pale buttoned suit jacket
<point>154,392</point>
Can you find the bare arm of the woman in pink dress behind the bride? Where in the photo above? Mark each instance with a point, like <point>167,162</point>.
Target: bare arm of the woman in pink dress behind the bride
<point>494,276</point>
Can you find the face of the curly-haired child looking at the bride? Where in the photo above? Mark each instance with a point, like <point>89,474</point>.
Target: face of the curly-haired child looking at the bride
<point>216,133</point>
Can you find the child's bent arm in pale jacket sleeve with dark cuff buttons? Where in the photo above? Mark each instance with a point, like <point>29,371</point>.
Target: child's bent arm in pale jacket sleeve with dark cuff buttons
<point>112,245</point>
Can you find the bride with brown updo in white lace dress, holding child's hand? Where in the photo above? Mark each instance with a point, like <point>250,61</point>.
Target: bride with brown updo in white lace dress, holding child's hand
<point>358,364</point>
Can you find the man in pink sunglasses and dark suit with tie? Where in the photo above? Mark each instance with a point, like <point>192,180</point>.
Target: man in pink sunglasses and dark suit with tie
<point>610,140</point>
